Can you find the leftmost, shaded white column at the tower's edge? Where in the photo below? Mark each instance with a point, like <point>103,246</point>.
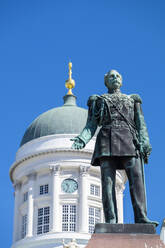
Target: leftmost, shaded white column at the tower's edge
<point>16,235</point>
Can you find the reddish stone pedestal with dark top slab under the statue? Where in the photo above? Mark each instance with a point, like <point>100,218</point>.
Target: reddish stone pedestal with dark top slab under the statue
<point>125,236</point>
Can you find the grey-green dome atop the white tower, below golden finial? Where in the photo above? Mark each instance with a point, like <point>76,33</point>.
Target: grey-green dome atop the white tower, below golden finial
<point>67,119</point>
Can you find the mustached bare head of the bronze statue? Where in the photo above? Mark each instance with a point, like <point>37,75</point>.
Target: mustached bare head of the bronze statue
<point>113,80</point>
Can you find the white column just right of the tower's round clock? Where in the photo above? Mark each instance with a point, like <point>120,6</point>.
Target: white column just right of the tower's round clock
<point>83,203</point>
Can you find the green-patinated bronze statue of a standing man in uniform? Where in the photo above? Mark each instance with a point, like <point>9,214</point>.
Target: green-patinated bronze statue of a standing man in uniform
<point>122,143</point>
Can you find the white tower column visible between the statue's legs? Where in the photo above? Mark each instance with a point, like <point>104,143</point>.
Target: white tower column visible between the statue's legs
<point>119,198</point>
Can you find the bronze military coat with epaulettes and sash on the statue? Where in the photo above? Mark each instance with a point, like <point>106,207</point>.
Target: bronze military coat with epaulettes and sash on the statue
<point>117,137</point>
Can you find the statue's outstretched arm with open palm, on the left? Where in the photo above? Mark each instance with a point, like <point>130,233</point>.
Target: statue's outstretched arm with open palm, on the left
<point>91,125</point>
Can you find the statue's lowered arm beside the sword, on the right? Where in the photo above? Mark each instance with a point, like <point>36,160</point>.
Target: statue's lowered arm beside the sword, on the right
<point>145,147</point>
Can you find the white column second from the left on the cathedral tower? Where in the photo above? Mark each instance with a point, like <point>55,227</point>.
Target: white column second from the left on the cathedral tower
<point>30,211</point>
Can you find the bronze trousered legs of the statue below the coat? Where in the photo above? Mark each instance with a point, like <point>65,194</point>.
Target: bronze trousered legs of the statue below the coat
<point>133,168</point>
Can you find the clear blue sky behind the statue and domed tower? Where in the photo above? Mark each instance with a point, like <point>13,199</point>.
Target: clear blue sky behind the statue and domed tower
<point>37,40</point>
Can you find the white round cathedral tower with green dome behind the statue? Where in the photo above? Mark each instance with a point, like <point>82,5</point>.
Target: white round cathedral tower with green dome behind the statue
<point>57,191</point>
